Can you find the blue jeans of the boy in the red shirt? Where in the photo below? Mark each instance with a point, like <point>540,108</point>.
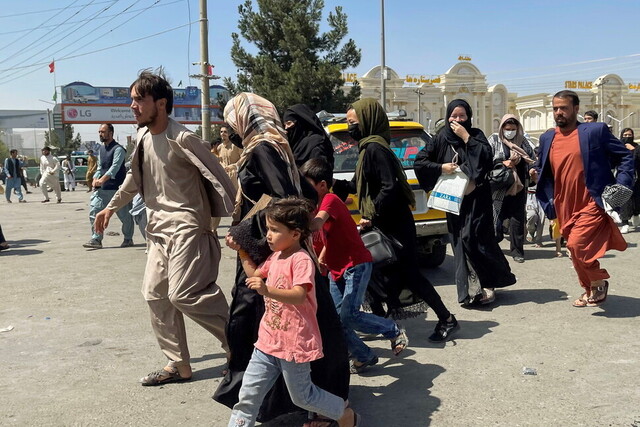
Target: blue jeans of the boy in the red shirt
<point>348,294</point>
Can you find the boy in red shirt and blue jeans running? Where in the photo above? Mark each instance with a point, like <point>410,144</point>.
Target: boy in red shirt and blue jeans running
<point>349,264</point>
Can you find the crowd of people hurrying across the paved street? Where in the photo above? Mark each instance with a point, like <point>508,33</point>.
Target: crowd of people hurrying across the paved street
<point>290,329</point>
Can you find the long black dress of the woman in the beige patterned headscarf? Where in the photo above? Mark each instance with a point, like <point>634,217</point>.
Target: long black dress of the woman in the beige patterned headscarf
<point>265,173</point>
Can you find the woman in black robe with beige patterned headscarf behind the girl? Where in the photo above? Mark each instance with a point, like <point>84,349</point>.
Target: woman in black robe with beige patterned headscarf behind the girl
<point>267,167</point>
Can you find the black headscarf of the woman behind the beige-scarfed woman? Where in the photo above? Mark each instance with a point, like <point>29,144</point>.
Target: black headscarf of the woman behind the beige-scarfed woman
<point>307,137</point>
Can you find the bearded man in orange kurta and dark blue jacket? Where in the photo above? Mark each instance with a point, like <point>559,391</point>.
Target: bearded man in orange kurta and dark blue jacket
<point>575,166</point>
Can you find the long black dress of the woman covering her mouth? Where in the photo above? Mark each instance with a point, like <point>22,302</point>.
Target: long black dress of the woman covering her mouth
<point>472,232</point>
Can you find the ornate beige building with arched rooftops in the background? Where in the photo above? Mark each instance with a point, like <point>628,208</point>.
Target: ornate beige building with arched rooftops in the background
<point>425,98</point>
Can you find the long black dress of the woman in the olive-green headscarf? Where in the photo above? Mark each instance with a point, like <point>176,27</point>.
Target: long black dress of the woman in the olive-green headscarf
<point>393,217</point>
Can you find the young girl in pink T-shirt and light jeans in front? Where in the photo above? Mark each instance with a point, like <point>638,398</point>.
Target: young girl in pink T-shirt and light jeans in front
<point>288,336</point>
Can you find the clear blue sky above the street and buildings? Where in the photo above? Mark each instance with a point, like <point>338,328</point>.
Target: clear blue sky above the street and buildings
<point>530,47</point>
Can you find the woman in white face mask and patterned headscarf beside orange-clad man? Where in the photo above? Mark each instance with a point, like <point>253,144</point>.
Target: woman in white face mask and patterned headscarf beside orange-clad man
<point>511,148</point>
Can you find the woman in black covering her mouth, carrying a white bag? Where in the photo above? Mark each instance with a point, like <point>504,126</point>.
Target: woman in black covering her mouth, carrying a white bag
<point>477,256</point>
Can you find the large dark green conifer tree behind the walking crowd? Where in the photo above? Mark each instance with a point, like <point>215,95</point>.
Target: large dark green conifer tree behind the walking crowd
<point>294,63</point>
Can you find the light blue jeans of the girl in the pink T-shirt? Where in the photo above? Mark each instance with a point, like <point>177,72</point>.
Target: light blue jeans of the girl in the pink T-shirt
<point>262,373</point>
